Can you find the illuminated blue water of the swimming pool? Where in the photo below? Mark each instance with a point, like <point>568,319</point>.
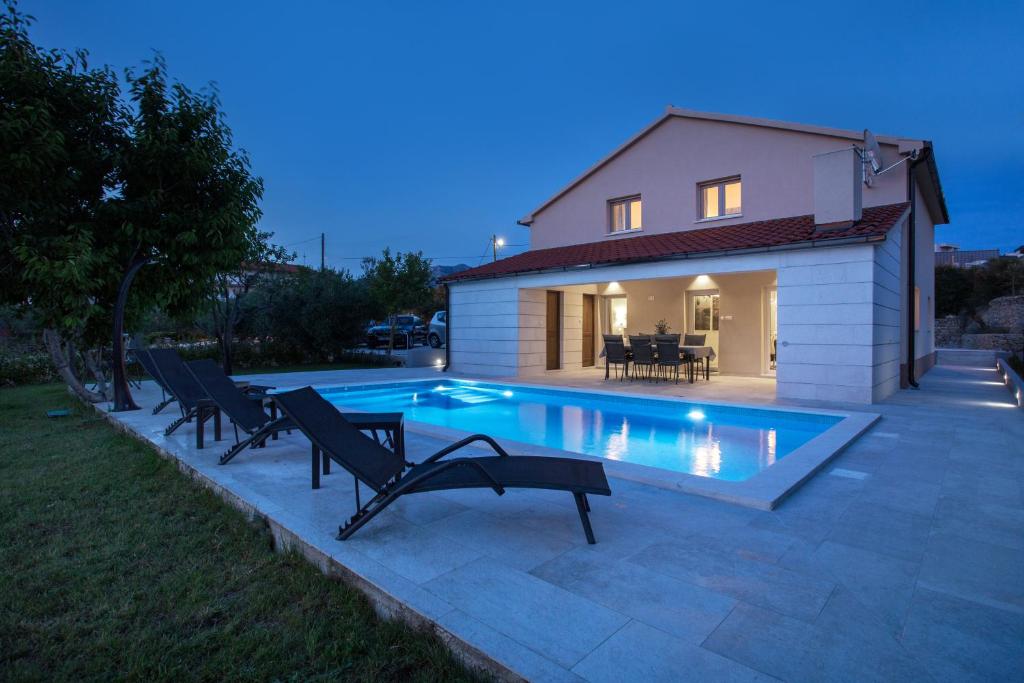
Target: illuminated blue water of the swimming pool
<point>723,443</point>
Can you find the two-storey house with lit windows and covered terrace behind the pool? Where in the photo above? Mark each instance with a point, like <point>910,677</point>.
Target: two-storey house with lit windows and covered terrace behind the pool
<point>803,253</point>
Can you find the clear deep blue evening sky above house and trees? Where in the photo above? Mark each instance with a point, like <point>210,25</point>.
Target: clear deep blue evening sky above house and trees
<point>433,125</point>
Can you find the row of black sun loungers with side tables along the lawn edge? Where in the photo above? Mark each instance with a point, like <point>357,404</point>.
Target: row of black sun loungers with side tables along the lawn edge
<point>370,446</point>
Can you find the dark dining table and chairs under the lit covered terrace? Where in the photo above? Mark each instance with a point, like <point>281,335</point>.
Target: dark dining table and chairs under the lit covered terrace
<point>657,357</point>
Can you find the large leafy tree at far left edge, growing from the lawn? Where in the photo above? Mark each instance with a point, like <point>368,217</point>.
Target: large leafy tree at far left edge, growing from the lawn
<point>62,132</point>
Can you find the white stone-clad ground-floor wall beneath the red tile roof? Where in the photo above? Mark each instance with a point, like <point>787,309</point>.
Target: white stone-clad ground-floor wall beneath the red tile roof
<point>839,317</point>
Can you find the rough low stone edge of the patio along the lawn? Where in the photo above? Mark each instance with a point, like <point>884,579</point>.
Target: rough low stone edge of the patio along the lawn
<point>285,540</point>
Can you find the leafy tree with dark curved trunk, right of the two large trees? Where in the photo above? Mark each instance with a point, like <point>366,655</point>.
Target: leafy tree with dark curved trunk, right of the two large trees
<point>189,205</point>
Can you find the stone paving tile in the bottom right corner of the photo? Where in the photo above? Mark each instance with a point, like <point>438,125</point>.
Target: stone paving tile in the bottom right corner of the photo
<point>961,641</point>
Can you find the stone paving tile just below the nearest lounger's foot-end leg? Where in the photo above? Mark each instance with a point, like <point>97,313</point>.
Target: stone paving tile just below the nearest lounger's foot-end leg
<point>685,611</point>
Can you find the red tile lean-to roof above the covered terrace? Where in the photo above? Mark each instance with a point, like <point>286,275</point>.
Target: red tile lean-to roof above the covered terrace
<point>875,223</point>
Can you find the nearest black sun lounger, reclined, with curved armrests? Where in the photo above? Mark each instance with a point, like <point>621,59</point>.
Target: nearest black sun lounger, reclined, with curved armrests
<point>391,477</point>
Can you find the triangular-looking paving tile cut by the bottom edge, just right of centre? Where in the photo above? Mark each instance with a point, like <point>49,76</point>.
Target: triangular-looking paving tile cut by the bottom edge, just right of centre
<point>639,653</point>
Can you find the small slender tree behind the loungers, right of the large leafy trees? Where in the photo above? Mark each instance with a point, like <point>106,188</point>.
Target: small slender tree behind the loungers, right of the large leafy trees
<point>228,296</point>
